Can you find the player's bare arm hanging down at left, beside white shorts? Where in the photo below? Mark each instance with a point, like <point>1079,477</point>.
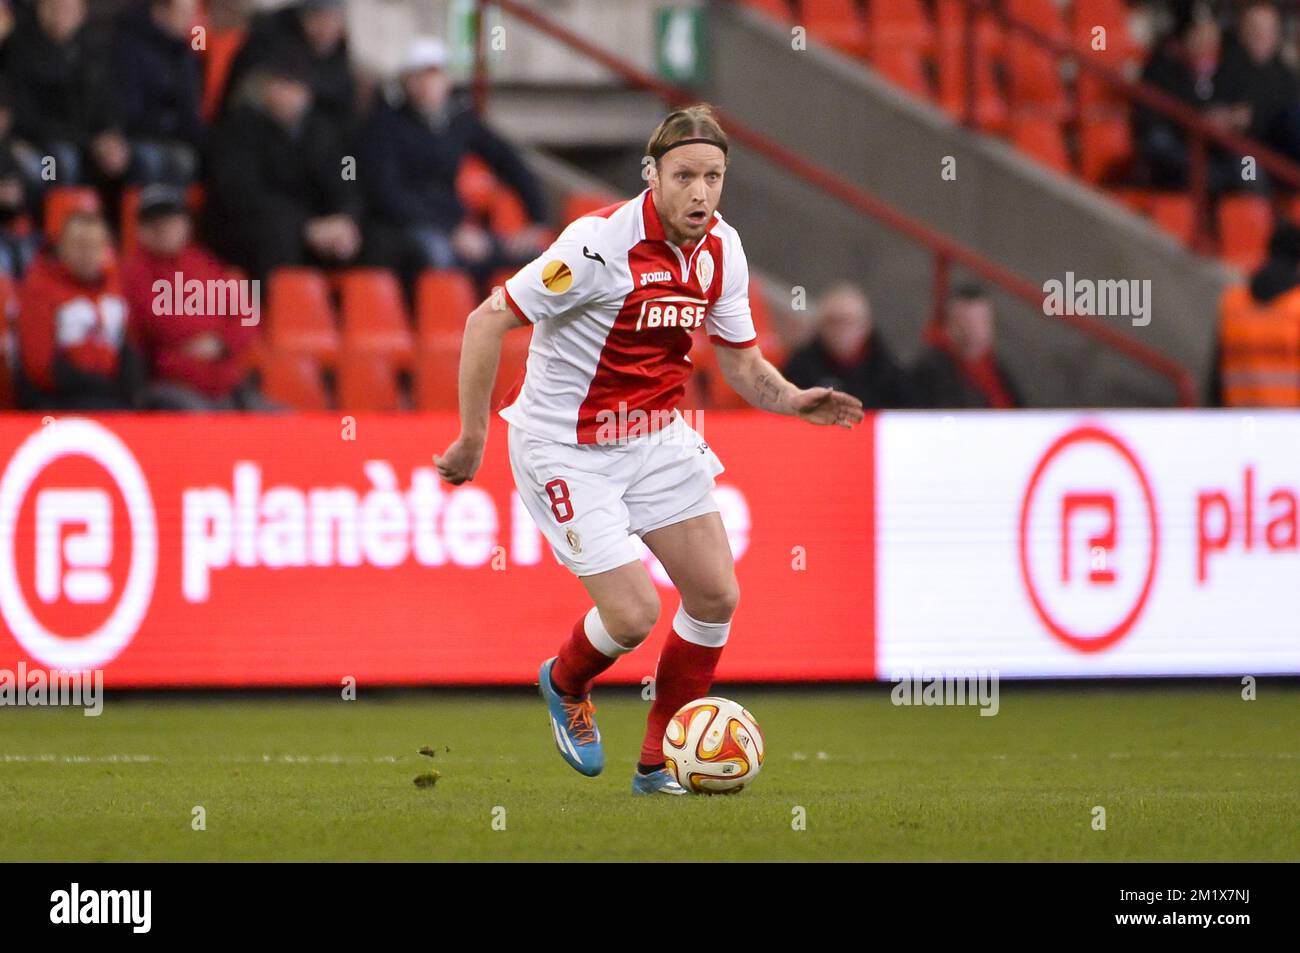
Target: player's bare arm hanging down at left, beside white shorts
<point>480,354</point>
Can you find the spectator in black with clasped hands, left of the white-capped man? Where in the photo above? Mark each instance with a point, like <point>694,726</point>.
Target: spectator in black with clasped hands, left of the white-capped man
<point>279,193</point>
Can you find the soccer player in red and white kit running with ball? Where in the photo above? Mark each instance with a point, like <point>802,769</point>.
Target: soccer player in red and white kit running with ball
<point>597,447</point>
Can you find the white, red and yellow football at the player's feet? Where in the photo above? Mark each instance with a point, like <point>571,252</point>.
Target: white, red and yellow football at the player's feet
<point>713,747</point>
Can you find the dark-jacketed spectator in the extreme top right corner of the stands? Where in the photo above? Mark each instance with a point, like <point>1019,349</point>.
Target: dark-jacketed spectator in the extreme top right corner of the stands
<point>1255,77</point>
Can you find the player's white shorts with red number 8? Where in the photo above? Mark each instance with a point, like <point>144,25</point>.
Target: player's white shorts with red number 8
<point>590,499</point>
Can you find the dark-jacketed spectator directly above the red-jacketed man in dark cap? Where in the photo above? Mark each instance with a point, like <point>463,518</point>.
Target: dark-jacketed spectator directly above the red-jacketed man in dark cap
<point>159,90</point>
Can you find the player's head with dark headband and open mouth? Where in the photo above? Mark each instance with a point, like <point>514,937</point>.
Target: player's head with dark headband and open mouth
<point>687,161</point>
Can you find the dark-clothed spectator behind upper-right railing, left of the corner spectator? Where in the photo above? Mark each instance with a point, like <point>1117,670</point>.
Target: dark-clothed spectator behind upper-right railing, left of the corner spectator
<point>1185,66</point>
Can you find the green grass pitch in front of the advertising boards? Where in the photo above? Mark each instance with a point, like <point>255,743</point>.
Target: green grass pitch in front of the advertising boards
<point>1184,774</point>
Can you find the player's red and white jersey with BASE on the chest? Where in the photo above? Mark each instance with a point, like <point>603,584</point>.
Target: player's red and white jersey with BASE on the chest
<point>616,307</point>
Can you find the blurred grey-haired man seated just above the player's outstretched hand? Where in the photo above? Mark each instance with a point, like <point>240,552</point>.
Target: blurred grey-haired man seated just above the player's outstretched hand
<point>848,353</point>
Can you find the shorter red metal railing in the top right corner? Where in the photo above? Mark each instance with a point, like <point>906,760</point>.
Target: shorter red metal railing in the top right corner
<point>1202,133</point>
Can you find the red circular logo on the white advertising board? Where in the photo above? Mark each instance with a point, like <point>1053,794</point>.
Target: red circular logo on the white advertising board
<point>1103,503</point>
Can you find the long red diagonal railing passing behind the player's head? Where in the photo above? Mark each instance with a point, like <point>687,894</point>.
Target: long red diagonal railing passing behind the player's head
<point>944,250</point>
